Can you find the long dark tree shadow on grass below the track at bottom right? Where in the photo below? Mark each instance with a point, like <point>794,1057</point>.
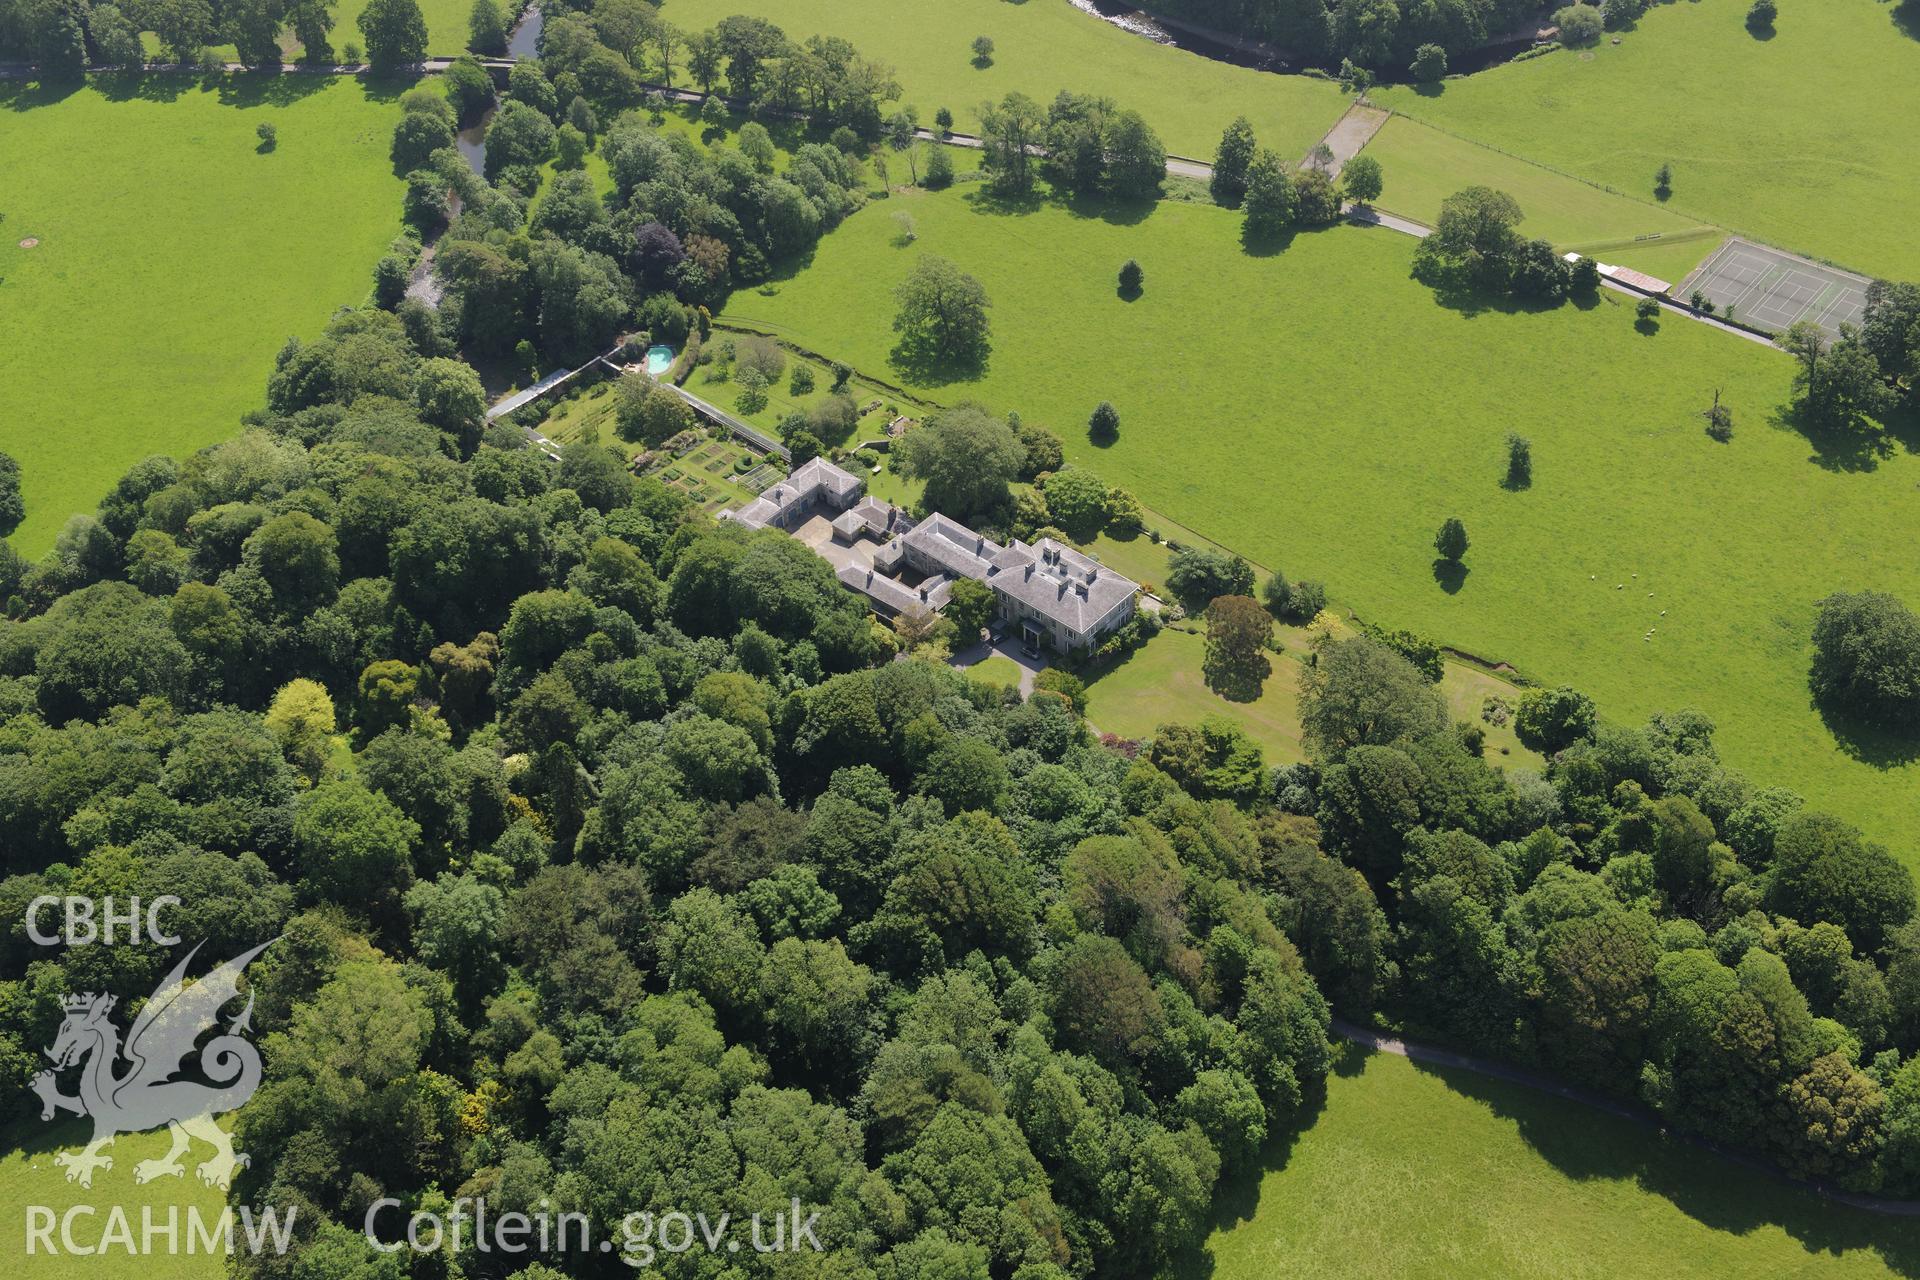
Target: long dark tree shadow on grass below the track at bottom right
<point>1721,1193</point>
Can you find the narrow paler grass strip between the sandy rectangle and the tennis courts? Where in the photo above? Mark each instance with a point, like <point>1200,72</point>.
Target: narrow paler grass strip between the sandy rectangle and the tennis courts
<point>1426,166</point>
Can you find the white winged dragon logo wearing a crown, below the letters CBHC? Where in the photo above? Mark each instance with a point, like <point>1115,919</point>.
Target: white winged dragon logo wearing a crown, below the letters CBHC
<point>147,1097</point>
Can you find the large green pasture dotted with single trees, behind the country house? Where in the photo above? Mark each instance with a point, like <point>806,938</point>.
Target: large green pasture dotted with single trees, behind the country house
<point>1328,414</point>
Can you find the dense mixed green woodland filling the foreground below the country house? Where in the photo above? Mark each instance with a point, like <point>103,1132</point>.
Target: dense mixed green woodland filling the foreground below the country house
<point>615,863</point>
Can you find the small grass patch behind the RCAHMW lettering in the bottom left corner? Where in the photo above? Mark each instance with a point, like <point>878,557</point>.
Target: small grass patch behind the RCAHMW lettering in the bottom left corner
<point>30,1177</point>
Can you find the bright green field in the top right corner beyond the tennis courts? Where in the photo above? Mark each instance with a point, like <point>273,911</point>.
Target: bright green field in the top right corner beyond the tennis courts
<point>1806,139</point>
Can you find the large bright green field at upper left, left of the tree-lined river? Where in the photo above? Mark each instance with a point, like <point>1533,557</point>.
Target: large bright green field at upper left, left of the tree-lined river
<point>174,262</point>
